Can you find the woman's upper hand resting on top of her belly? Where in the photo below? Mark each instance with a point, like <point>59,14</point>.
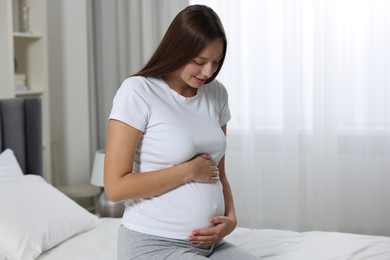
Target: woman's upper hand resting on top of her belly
<point>204,169</point>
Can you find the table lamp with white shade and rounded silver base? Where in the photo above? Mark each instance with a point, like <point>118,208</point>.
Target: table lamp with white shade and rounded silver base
<point>105,207</point>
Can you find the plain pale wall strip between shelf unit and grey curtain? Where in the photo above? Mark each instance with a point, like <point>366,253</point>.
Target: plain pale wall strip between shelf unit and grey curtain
<point>68,84</point>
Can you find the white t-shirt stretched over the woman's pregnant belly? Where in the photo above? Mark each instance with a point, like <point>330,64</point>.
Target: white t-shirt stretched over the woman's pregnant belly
<point>175,129</point>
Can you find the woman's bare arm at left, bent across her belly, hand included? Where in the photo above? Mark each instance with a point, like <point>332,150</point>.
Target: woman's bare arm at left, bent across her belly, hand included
<point>119,181</point>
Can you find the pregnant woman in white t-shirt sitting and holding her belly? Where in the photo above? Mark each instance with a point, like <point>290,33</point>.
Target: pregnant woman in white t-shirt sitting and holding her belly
<point>166,145</point>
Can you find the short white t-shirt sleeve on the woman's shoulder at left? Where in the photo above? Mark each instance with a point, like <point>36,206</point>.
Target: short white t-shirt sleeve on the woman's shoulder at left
<point>131,103</point>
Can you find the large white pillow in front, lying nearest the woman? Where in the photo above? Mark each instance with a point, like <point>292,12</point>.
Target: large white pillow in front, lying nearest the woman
<point>35,216</point>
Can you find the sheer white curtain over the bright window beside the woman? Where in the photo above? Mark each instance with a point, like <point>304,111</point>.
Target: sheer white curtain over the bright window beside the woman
<point>309,88</point>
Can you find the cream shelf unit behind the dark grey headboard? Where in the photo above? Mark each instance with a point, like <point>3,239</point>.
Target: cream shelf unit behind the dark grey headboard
<point>24,53</point>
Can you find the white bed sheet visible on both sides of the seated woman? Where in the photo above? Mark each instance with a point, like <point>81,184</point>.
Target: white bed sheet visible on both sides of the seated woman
<point>100,244</point>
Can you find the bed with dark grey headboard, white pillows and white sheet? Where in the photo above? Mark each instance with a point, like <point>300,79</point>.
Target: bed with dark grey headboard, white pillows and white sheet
<point>37,221</point>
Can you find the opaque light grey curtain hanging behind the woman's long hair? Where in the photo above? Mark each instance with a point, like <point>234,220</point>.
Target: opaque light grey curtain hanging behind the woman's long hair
<point>124,34</point>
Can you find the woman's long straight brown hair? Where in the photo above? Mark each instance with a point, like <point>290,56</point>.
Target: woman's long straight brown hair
<point>189,33</point>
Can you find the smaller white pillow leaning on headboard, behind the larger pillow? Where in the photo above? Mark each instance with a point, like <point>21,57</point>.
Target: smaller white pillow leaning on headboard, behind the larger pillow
<point>9,166</point>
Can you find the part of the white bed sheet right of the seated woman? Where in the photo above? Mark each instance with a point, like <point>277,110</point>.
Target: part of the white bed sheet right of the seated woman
<point>315,245</point>
